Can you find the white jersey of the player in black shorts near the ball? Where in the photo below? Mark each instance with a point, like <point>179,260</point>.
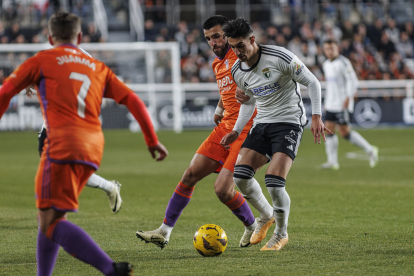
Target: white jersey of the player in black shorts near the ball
<point>272,84</point>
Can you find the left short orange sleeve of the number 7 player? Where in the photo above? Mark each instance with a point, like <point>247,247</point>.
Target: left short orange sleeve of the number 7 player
<point>27,73</point>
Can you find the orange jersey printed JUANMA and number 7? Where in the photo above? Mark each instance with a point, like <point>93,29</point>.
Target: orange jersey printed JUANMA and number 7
<point>70,88</point>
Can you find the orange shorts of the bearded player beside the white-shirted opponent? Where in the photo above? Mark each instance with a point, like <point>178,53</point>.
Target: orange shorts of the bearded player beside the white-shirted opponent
<point>211,147</point>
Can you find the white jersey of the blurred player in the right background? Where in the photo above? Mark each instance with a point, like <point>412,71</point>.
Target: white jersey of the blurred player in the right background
<point>341,83</point>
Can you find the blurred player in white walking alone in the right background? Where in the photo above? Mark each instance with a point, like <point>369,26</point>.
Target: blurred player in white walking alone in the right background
<point>341,86</point>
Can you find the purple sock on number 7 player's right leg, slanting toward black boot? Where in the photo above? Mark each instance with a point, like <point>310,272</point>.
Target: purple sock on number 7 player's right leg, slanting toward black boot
<point>79,244</point>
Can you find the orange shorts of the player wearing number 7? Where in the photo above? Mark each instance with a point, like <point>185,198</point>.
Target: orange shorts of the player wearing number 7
<point>58,186</point>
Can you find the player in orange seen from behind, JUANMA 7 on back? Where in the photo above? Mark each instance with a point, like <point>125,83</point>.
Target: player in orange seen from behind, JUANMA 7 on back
<point>71,86</point>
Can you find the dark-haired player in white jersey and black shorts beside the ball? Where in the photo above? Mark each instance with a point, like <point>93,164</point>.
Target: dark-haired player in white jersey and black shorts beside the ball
<point>269,75</point>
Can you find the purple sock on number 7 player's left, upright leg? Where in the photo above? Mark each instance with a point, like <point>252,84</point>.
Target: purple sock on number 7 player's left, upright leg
<point>46,254</point>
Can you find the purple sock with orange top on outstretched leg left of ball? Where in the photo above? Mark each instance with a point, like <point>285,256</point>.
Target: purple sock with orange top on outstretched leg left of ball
<point>179,200</point>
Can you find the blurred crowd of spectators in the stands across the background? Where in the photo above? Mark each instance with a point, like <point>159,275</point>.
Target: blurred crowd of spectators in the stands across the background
<point>377,41</point>
